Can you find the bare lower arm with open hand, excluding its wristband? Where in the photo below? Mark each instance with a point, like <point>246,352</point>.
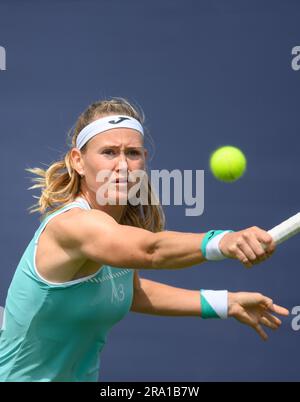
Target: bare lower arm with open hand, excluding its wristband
<point>252,309</point>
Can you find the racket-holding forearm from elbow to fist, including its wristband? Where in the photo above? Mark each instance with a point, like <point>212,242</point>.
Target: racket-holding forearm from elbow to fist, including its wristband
<point>179,250</point>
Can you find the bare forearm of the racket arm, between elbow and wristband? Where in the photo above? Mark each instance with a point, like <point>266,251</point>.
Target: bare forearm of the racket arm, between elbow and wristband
<point>177,250</point>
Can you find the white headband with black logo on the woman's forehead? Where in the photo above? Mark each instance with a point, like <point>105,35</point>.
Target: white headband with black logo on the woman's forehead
<point>104,124</point>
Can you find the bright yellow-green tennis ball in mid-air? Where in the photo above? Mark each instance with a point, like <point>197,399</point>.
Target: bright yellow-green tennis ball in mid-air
<point>228,163</point>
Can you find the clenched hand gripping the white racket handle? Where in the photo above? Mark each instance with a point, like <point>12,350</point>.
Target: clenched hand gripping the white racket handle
<point>250,246</point>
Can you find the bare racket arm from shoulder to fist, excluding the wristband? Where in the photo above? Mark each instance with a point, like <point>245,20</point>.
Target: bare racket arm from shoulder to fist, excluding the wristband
<point>96,236</point>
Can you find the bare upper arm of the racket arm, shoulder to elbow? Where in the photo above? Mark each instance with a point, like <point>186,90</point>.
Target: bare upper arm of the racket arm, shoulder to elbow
<point>98,237</point>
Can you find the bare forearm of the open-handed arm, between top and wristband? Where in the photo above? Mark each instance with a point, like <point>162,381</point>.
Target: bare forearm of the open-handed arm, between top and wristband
<point>159,299</point>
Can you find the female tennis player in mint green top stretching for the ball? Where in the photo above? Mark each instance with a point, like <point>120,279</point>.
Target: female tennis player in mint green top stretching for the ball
<point>79,274</point>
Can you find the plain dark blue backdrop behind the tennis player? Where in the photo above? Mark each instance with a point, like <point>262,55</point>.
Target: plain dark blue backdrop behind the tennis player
<point>206,73</point>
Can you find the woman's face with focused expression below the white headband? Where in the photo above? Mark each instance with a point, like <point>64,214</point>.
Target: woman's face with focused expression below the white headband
<point>112,155</point>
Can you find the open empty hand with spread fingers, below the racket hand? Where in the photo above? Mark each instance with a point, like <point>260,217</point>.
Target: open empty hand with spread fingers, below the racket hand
<point>255,310</point>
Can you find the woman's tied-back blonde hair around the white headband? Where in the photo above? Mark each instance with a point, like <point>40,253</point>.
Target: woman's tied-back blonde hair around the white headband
<point>60,183</point>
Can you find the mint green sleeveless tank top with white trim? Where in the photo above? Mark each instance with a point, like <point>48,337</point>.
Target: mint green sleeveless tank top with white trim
<point>56,332</point>
